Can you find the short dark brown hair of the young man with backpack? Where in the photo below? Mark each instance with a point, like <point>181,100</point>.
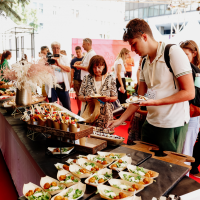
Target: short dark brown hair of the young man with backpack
<point>135,28</point>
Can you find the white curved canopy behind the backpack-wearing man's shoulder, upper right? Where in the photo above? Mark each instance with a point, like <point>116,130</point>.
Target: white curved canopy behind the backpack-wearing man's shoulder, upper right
<point>190,32</point>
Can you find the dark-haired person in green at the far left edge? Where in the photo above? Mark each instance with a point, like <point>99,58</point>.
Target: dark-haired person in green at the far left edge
<point>4,63</point>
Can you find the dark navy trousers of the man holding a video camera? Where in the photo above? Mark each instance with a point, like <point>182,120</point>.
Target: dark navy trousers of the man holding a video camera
<point>63,97</point>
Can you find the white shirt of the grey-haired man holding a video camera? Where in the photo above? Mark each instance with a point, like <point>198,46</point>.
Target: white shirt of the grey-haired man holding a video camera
<point>61,75</point>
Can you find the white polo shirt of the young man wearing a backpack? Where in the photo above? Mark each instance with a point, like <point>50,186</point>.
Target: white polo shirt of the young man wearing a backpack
<point>160,80</point>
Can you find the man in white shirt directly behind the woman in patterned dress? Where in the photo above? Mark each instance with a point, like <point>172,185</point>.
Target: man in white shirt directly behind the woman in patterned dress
<point>83,65</point>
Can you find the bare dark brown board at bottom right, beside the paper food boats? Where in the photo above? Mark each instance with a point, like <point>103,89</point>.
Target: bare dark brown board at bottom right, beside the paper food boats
<point>169,175</point>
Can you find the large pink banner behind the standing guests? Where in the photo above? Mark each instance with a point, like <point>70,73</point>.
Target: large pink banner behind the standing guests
<point>109,49</point>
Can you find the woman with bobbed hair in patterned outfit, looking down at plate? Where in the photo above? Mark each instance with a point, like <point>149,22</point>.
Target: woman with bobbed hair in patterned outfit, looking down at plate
<point>98,82</point>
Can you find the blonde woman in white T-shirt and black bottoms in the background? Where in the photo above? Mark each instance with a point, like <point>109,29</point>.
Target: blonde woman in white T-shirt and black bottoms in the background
<point>120,74</point>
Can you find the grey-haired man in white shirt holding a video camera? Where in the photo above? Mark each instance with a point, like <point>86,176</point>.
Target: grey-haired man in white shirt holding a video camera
<point>61,70</point>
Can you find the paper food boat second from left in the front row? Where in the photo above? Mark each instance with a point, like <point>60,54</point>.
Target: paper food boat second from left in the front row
<point>49,180</point>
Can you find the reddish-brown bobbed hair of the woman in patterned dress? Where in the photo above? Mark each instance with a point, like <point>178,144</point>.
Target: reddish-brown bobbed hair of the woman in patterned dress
<point>97,61</point>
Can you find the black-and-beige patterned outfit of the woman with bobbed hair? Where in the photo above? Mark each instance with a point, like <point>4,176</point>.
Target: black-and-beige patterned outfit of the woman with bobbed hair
<point>107,89</point>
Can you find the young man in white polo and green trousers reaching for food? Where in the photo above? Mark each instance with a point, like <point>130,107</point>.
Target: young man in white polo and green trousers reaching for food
<point>168,112</point>
